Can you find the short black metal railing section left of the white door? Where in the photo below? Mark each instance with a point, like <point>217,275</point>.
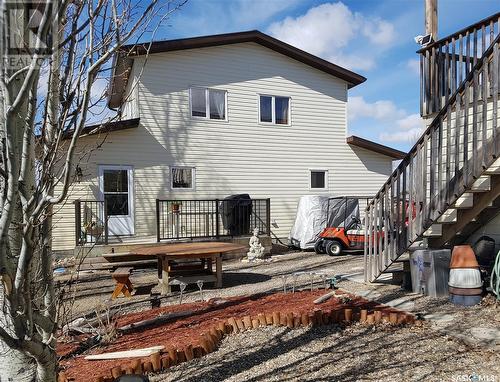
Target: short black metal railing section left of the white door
<point>91,222</point>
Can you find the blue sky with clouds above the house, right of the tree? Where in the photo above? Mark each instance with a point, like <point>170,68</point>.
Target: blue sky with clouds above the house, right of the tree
<point>371,37</point>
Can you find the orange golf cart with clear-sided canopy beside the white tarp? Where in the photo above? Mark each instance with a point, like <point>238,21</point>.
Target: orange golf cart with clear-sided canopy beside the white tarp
<point>344,231</point>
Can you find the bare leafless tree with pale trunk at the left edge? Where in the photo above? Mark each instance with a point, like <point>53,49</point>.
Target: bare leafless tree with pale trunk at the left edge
<point>53,52</point>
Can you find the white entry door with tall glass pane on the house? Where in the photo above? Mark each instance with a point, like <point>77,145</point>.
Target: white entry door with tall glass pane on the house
<point>116,184</point>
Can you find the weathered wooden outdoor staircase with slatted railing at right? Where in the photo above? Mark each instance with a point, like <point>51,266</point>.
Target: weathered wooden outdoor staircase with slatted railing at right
<point>448,185</point>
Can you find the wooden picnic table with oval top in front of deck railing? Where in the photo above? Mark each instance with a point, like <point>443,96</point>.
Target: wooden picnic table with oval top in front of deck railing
<point>206,252</point>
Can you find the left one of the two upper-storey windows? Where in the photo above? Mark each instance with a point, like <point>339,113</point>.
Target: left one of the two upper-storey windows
<point>208,103</point>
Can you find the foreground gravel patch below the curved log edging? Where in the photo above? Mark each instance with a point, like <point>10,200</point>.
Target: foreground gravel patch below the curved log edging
<point>328,353</point>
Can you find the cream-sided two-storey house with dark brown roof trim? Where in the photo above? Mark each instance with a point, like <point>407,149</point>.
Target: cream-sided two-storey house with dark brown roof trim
<point>208,117</point>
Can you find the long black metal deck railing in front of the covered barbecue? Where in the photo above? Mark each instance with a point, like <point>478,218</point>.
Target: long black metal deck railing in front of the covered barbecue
<point>213,218</point>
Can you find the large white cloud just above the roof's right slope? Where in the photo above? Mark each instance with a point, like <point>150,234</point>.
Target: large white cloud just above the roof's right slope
<point>334,32</point>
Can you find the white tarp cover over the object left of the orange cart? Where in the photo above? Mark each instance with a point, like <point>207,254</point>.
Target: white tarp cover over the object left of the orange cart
<point>310,221</point>
